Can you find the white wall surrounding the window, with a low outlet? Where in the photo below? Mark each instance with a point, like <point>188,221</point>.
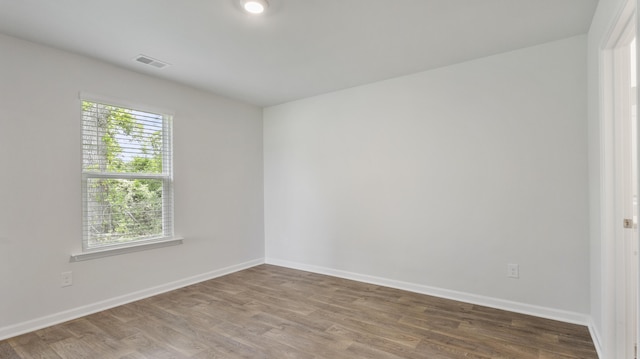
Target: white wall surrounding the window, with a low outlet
<point>218,186</point>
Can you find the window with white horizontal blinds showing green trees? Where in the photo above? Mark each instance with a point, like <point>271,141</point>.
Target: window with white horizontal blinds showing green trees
<point>127,184</point>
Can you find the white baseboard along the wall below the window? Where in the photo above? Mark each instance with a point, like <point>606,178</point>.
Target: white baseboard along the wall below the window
<point>53,319</point>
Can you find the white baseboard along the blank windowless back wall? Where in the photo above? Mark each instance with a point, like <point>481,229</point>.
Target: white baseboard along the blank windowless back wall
<point>538,311</point>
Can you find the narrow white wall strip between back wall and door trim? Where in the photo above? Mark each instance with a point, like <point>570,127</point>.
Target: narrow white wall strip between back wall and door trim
<point>602,290</point>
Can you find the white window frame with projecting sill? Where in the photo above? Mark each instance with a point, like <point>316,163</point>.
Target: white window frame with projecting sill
<point>167,238</point>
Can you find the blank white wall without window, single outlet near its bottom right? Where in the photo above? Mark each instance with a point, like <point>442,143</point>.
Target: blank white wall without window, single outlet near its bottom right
<point>441,178</point>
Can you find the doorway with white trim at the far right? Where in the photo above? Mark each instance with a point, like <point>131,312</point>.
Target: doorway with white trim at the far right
<point>621,99</point>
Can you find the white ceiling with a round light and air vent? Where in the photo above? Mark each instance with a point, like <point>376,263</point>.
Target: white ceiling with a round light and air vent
<point>299,48</point>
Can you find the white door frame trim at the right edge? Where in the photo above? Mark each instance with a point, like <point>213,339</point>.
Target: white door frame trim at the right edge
<point>613,270</point>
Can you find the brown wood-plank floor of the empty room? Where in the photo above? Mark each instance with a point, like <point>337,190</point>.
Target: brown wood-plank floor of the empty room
<point>274,312</point>
